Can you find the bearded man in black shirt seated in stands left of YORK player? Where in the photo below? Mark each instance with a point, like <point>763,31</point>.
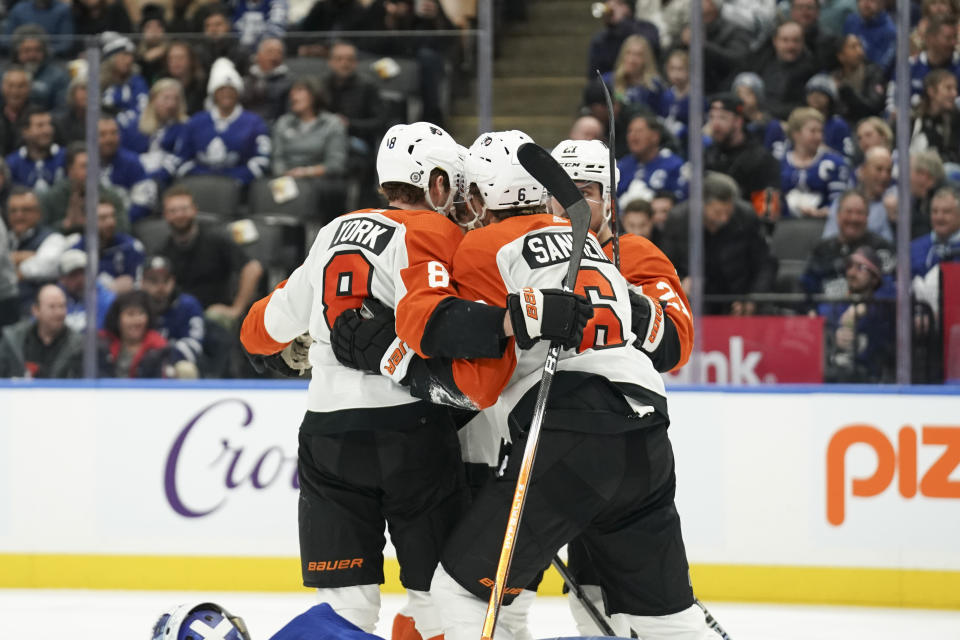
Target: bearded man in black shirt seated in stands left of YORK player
<point>205,260</point>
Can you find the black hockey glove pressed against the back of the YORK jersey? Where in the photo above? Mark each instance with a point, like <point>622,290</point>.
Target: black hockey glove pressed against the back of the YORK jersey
<point>361,337</point>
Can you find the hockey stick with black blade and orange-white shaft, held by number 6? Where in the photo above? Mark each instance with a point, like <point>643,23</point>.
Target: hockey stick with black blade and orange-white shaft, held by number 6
<point>539,164</point>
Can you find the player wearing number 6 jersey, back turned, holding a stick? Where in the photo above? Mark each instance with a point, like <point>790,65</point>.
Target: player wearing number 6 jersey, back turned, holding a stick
<point>604,470</point>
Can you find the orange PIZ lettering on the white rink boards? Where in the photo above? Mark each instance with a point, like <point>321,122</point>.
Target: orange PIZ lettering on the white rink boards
<point>935,483</point>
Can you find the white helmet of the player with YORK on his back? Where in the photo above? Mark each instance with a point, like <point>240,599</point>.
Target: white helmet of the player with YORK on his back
<point>409,152</point>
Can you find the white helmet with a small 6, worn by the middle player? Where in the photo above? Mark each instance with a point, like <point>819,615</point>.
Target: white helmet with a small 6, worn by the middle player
<point>493,166</point>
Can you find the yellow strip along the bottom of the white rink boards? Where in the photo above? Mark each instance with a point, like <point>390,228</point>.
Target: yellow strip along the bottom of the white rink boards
<point>739,583</point>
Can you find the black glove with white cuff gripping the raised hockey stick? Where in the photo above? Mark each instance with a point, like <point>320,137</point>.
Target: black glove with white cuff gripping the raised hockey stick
<point>551,314</point>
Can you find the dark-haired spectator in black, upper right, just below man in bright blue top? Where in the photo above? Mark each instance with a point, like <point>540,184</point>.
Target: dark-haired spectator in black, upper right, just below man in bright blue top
<point>861,91</point>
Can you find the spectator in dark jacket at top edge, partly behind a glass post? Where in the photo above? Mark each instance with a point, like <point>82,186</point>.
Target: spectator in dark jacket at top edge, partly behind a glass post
<point>727,46</point>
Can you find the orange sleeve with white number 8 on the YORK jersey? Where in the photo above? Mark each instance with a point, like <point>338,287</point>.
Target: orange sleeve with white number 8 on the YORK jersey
<point>431,240</point>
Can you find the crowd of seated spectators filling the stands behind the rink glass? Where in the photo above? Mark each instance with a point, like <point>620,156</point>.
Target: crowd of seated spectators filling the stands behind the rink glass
<point>798,143</point>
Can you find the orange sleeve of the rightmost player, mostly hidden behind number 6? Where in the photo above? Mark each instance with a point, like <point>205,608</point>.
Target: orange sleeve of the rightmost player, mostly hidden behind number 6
<point>643,265</point>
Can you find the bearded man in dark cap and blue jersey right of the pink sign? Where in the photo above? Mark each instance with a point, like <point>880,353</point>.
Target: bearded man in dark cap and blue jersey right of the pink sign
<point>860,334</point>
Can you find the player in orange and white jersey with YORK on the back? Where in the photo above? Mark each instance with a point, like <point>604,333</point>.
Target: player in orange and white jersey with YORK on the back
<point>369,452</point>
